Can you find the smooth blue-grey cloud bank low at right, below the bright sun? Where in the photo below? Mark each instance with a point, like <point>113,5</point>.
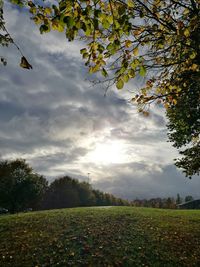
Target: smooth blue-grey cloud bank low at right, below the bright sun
<point>142,180</point>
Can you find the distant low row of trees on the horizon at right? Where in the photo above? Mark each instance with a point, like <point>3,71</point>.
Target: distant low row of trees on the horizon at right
<point>164,203</point>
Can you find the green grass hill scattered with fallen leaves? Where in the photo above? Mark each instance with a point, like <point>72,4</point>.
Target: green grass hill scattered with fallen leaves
<point>118,236</point>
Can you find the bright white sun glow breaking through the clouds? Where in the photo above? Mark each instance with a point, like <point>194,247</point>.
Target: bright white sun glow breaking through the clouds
<point>109,153</point>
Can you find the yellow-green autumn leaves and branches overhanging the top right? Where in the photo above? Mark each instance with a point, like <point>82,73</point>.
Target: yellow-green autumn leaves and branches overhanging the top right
<point>129,38</point>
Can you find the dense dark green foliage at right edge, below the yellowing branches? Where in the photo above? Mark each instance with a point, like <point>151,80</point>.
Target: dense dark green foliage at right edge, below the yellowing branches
<point>184,124</point>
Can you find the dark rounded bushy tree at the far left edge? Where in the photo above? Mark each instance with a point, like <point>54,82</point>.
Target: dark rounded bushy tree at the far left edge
<point>20,187</point>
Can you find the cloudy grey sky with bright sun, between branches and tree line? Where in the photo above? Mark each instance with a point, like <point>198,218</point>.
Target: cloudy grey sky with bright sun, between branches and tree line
<point>55,118</point>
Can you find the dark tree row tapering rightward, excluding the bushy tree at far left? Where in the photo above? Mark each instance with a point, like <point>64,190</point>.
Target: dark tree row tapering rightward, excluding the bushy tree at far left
<point>67,192</point>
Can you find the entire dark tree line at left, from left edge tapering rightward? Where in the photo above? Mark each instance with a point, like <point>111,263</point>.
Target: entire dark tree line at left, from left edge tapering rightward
<point>21,189</point>
